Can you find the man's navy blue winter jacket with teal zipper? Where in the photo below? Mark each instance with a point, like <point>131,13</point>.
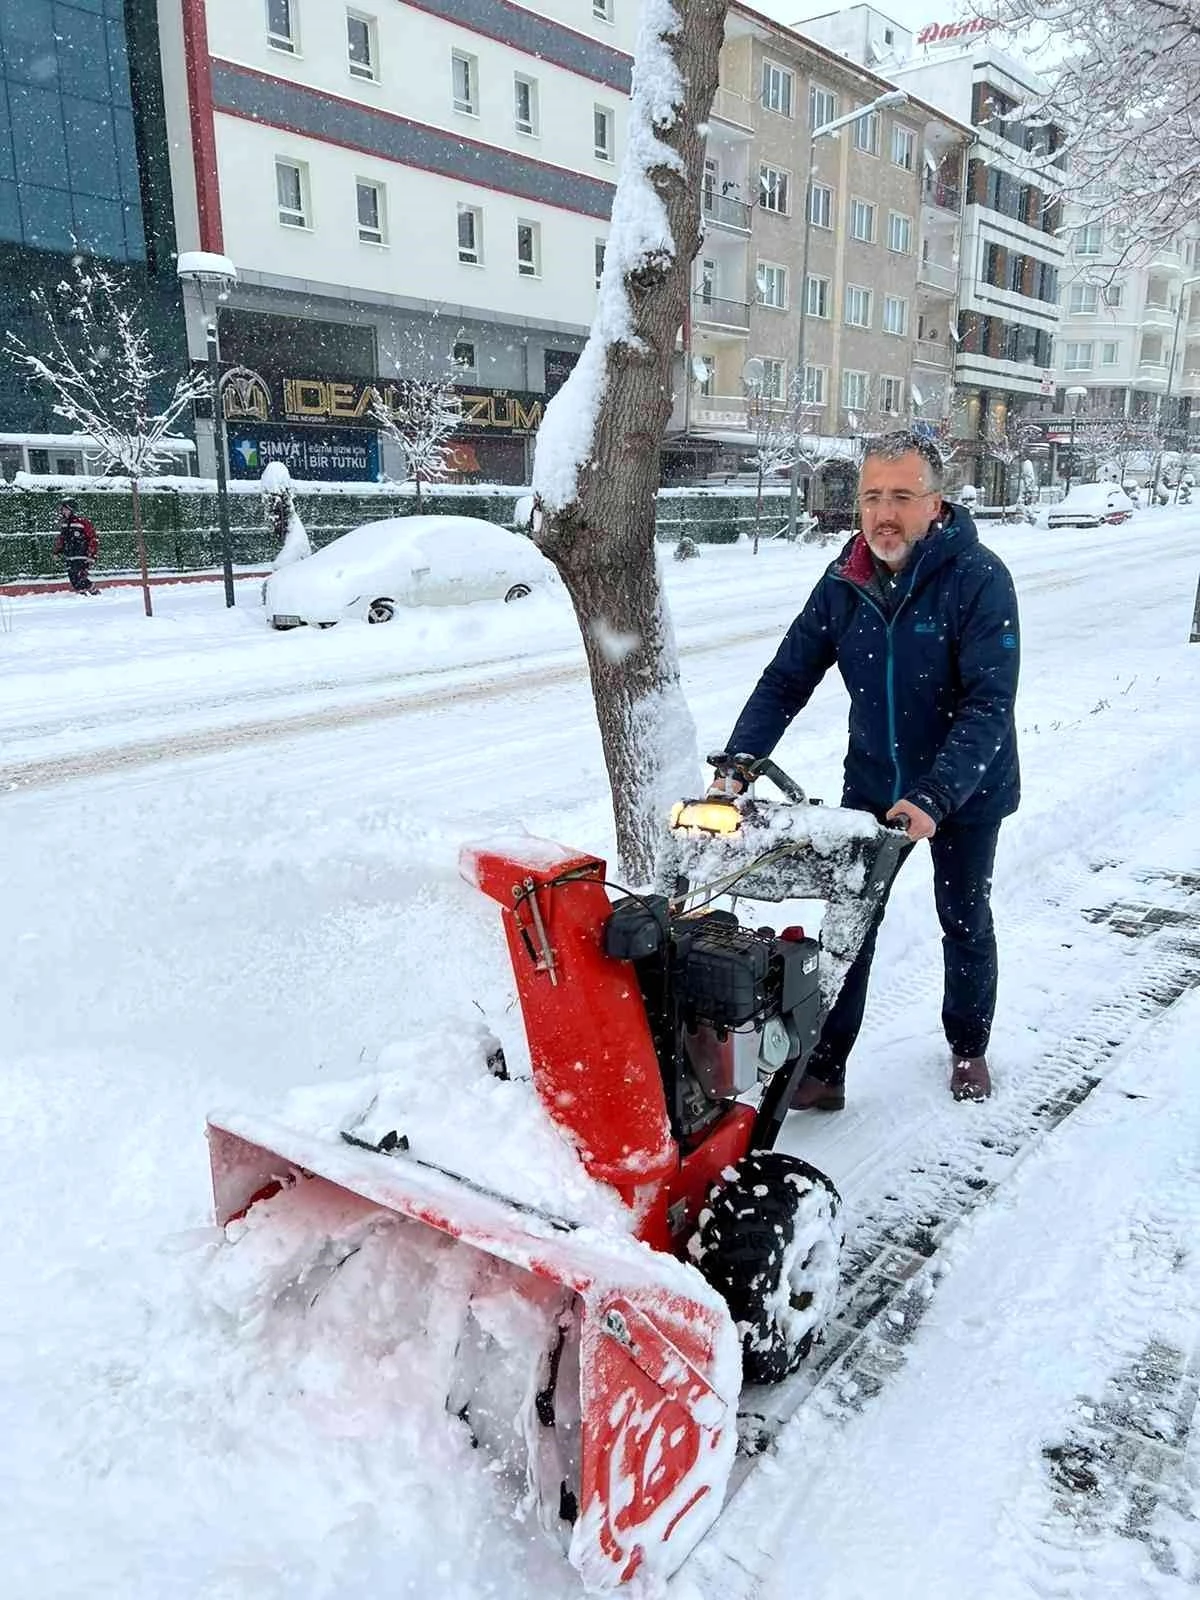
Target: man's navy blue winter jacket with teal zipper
<point>932,676</point>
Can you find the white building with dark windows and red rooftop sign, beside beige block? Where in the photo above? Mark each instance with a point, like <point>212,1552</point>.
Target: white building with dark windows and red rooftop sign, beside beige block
<point>1012,250</point>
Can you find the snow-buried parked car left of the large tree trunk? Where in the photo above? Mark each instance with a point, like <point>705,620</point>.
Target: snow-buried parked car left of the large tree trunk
<point>382,567</point>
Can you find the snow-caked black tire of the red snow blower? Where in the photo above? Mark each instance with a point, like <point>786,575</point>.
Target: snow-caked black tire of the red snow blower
<point>769,1241</point>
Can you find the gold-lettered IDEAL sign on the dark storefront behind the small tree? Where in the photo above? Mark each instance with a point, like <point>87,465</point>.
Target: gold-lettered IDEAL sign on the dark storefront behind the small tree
<point>350,402</point>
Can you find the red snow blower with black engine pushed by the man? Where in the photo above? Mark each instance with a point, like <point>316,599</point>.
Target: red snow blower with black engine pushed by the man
<point>666,1041</point>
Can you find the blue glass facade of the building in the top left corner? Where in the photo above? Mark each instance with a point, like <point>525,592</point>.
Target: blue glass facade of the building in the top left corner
<point>70,174</point>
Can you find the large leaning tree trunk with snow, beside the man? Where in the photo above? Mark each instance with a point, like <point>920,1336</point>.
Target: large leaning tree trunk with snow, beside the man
<point>598,463</point>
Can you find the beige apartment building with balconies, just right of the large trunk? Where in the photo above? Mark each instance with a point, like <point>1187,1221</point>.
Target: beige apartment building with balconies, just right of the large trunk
<point>882,271</point>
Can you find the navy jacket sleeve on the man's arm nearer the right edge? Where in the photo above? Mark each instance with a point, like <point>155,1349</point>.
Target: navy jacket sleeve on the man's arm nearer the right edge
<point>990,663</point>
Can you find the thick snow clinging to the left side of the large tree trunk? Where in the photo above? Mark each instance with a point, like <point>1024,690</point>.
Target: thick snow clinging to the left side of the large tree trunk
<point>639,250</point>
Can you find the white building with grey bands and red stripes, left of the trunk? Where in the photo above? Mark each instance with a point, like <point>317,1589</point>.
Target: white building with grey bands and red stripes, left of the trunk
<point>404,190</point>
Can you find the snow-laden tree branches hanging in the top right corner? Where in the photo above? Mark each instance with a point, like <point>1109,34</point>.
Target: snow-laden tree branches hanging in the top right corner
<point>1126,90</point>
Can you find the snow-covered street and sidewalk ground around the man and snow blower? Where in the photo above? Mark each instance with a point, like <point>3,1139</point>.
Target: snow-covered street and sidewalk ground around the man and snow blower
<point>230,871</point>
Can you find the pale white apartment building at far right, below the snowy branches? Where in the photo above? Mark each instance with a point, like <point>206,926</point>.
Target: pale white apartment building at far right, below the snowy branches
<point>1130,330</point>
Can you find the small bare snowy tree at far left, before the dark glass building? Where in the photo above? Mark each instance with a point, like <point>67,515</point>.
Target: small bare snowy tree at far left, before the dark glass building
<point>98,364</point>
